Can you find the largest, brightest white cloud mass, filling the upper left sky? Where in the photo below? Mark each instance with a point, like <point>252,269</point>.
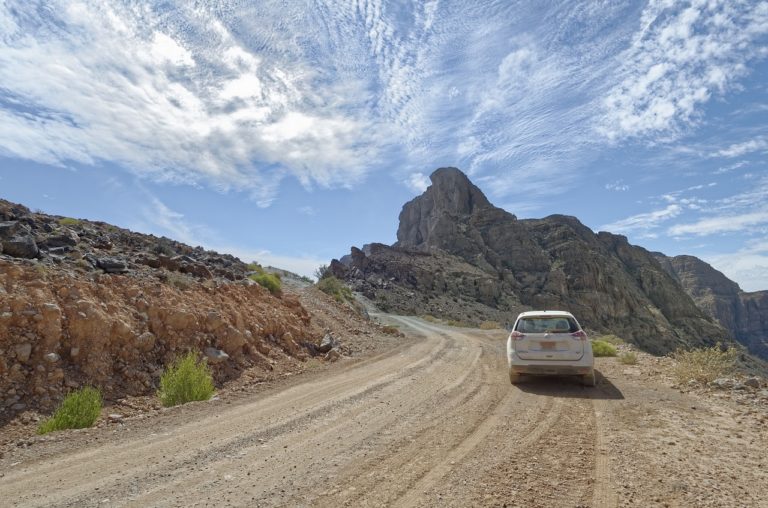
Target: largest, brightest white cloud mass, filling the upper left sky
<point>174,97</point>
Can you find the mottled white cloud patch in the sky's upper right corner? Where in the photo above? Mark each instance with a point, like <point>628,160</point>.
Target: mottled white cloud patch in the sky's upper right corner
<point>683,55</point>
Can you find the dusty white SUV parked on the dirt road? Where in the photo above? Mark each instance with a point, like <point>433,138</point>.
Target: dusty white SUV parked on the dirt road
<point>549,342</point>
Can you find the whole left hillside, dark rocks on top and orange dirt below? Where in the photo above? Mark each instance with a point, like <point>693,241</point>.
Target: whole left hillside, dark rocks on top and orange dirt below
<point>88,303</point>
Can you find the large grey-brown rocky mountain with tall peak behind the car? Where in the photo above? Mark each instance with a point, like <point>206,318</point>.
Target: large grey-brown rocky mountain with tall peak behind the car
<point>459,257</point>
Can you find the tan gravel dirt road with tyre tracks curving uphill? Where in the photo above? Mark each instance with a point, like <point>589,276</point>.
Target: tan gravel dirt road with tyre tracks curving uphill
<point>433,423</point>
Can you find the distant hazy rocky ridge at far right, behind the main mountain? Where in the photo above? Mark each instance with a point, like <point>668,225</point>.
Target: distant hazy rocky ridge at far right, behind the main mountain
<point>743,314</point>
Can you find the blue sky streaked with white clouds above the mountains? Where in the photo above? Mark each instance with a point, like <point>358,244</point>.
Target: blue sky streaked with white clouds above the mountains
<point>286,132</point>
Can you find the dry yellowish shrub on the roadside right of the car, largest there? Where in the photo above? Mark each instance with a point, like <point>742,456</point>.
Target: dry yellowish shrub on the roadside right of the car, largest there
<point>704,364</point>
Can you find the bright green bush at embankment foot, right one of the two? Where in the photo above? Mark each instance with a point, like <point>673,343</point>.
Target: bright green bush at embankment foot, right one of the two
<point>185,380</point>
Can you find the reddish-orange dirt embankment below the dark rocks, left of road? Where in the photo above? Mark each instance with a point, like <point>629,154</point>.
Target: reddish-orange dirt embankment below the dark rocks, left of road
<point>61,329</point>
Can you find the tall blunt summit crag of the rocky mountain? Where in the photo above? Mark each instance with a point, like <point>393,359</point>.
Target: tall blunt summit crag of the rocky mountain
<point>427,220</point>
